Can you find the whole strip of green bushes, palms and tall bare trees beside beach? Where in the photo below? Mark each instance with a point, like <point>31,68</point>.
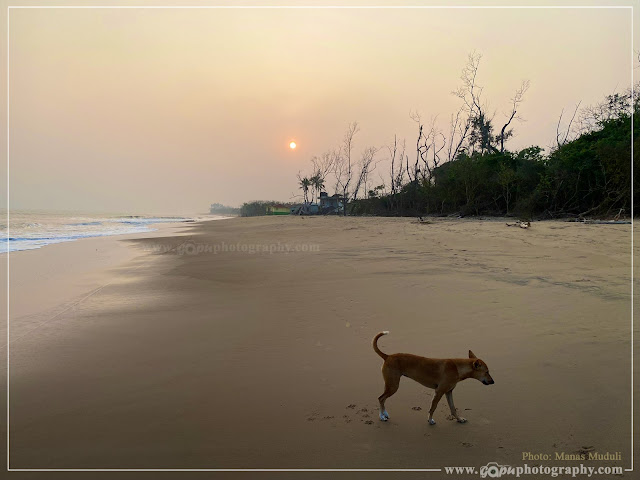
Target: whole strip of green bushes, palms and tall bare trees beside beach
<point>469,169</point>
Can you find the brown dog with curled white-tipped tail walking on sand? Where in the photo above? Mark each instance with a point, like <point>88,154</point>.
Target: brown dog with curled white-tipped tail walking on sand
<point>441,374</point>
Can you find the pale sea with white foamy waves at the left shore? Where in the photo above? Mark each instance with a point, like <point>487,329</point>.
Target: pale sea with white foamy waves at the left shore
<point>29,230</point>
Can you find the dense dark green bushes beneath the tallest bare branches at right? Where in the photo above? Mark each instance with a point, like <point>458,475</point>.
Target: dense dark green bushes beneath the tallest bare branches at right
<point>586,173</point>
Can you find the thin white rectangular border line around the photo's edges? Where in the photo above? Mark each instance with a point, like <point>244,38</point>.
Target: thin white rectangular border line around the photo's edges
<point>298,7</point>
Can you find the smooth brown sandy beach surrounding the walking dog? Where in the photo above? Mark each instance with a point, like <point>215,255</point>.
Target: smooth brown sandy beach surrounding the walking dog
<point>190,355</point>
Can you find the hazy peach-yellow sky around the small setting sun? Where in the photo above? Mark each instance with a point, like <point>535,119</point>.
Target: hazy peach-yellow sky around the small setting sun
<point>167,111</point>
